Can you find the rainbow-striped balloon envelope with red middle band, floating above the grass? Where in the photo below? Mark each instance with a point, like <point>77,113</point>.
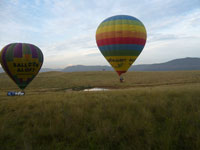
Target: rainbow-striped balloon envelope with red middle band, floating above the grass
<point>121,39</point>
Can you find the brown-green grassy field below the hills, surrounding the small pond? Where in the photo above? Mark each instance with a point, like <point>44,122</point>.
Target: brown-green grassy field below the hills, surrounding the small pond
<point>149,111</point>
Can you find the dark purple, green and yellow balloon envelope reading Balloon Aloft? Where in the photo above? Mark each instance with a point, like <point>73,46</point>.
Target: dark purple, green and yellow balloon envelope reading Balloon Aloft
<point>22,62</point>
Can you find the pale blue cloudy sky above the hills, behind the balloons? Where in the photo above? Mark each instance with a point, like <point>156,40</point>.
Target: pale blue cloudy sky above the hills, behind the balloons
<point>65,29</point>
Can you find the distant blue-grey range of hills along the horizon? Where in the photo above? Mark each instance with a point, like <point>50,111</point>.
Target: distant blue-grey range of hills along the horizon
<point>173,65</point>
